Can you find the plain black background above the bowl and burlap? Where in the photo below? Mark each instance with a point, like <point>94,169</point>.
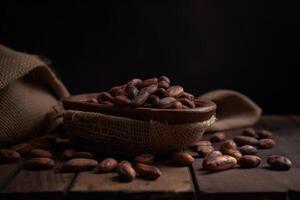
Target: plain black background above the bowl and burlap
<point>249,46</point>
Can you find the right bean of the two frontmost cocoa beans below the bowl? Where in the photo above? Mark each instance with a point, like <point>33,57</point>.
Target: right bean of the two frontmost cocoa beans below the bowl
<point>147,171</point>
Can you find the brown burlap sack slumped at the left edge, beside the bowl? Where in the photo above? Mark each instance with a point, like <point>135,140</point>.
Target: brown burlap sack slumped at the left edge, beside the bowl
<point>29,96</point>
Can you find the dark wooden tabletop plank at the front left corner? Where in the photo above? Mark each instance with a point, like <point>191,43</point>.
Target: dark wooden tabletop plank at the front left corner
<point>37,185</point>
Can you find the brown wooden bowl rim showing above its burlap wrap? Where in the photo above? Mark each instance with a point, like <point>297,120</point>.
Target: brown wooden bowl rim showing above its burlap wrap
<point>204,110</point>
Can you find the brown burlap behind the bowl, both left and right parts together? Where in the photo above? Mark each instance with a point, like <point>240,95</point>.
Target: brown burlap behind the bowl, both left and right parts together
<point>30,92</point>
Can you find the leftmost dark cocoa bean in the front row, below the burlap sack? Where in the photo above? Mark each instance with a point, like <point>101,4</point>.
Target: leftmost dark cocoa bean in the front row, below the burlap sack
<point>39,164</point>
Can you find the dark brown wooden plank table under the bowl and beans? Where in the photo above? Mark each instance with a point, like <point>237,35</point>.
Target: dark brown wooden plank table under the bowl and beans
<point>176,182</point>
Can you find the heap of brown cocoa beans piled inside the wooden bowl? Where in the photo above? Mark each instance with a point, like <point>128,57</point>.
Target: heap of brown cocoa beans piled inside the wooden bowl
<point>153,92</point>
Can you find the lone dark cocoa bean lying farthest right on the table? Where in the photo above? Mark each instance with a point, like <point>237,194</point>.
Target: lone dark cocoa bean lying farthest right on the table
<point>278,162</point>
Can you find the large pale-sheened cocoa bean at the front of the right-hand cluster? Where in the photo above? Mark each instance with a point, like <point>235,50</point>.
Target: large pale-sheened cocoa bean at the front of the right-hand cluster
<point>221,163</point>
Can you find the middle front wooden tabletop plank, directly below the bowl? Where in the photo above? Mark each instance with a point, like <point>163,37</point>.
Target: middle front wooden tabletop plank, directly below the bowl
<point>175,183</point>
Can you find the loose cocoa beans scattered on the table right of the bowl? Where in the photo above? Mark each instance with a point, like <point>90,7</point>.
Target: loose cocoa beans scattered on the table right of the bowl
<point>240,151</point>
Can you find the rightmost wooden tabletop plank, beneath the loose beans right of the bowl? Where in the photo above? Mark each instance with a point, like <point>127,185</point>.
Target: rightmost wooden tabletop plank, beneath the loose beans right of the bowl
<point>261,182</point>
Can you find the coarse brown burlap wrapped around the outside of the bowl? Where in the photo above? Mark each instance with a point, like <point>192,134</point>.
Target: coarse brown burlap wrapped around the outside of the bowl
<point>130,136</point>
